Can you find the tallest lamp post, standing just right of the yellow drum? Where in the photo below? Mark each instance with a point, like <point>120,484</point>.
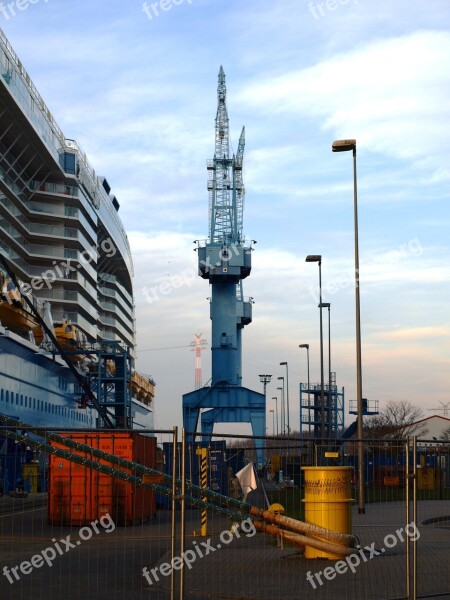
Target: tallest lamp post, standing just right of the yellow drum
<point>345,146</point>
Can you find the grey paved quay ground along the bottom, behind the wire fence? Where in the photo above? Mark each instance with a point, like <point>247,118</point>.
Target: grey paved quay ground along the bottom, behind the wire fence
<point>108,566</point>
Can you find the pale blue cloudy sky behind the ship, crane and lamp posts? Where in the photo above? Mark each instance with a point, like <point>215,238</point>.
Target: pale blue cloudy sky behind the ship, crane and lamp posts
<point>139,95</point>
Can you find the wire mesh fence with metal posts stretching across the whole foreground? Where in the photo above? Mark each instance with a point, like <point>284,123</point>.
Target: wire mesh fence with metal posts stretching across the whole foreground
<point>178,553</point>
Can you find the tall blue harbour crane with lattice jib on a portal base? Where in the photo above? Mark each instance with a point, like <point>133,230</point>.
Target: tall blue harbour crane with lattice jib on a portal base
<point>224,259</point>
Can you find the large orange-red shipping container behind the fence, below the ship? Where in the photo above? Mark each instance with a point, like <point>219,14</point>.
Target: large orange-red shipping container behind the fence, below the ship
<point>79,495</point>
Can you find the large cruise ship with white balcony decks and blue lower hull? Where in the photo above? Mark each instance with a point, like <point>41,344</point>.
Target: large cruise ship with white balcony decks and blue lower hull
<point>62,238</point>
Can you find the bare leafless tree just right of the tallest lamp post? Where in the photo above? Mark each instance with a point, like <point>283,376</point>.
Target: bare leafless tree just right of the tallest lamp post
<point>397,420</point>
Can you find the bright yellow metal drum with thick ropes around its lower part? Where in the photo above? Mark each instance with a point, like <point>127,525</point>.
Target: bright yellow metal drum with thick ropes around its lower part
<point>328,502</point>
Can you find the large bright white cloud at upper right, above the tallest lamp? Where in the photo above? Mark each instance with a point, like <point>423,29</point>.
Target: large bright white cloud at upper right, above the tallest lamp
<point>390,94</point>
